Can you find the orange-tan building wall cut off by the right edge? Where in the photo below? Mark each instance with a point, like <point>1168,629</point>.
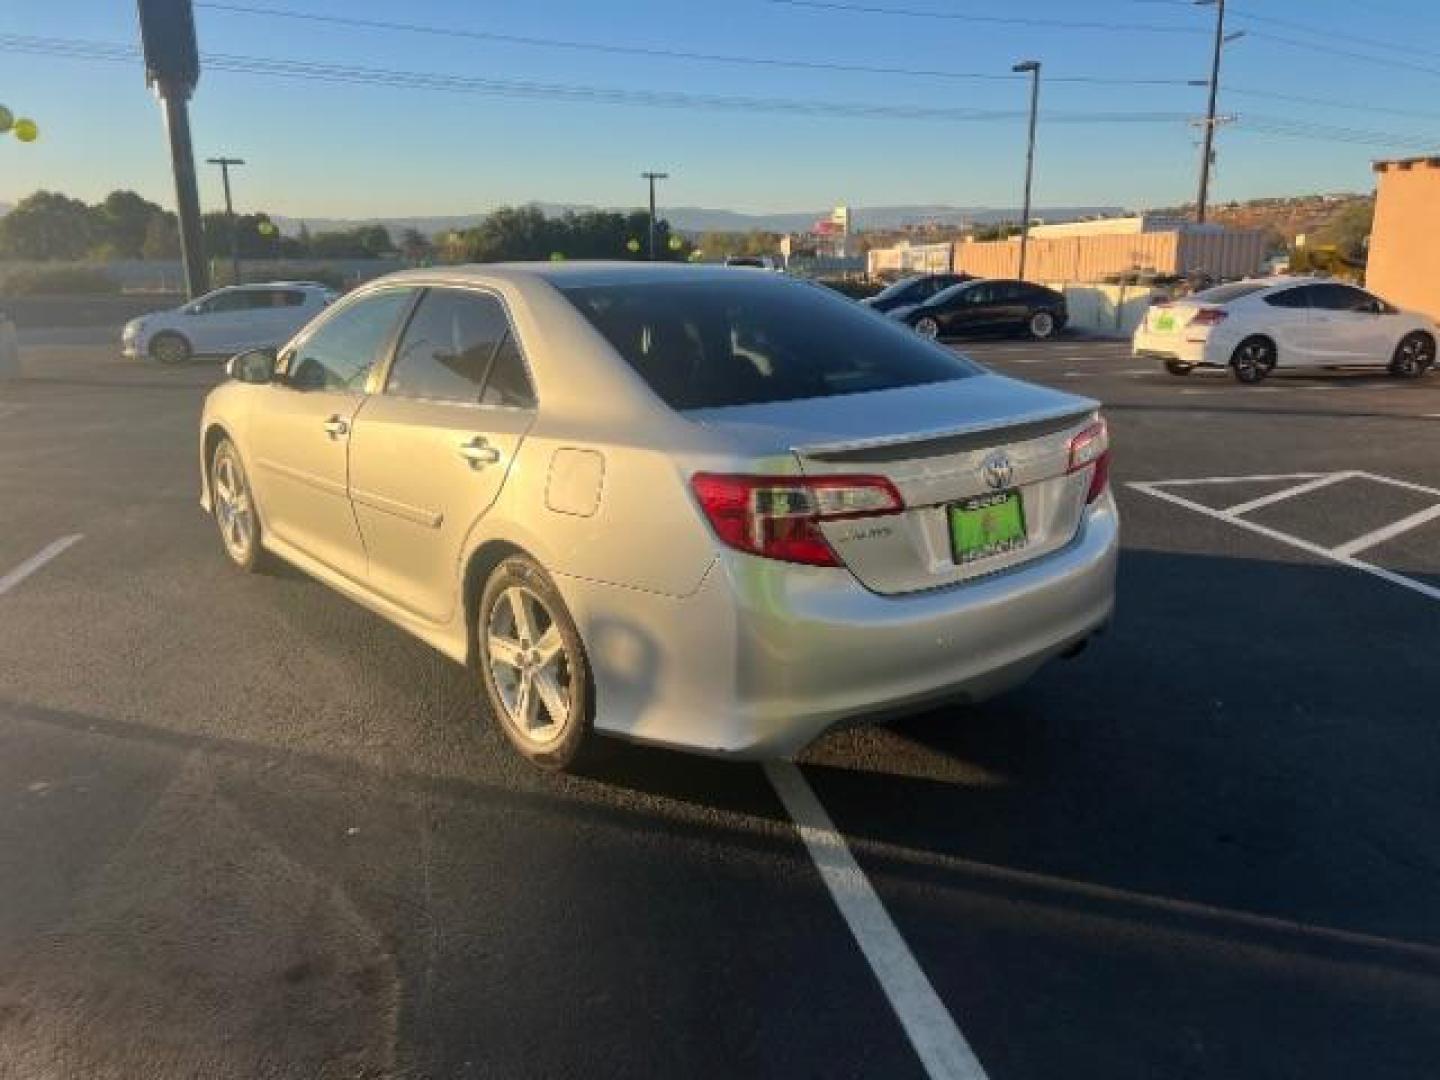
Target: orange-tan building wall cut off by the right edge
<point>1405,241</point>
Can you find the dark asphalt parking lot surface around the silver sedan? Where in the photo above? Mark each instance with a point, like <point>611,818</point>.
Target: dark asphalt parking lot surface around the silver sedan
<point>250,830</point>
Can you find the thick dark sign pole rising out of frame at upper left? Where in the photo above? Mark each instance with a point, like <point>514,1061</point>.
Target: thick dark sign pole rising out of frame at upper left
<point>172,70</point>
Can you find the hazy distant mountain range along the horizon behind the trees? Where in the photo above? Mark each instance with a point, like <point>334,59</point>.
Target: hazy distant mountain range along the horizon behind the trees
<point>702,220</point>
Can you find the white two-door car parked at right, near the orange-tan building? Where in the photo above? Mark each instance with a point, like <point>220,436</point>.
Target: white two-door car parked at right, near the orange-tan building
<point>1252,328</point>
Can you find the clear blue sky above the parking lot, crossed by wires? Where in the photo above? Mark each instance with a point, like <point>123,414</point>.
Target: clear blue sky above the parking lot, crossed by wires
<point>322,149</point>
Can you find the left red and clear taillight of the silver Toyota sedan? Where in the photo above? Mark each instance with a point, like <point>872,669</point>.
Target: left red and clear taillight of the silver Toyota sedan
<point>778,518</point>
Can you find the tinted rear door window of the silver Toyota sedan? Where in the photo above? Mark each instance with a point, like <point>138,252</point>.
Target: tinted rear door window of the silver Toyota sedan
<point>449,348</point>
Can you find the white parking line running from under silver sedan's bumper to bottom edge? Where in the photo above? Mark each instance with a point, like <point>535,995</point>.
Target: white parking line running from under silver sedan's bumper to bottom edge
<point>932,1030</point>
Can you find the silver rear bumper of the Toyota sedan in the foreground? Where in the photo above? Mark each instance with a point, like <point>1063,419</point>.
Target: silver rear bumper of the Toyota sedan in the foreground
<point>765,657</point>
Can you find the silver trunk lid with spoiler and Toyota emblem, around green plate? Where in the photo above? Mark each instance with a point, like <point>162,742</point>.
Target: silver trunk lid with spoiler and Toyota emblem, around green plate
<point>934,443</point>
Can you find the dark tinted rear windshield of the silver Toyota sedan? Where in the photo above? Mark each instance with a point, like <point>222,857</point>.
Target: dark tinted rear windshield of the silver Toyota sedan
<point>722,343</point>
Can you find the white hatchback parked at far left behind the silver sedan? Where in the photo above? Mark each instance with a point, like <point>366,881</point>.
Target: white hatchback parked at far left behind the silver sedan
<point>227,322</point>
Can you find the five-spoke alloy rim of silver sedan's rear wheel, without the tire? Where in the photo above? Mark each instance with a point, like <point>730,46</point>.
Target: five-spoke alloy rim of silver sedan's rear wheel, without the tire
<point>531,666</point>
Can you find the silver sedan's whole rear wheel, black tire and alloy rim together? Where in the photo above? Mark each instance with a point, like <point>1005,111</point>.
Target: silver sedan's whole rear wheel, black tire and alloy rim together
<point>534,666</point>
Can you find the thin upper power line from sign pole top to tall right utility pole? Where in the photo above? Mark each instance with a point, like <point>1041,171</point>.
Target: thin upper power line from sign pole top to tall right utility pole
<point>654,51</point>
